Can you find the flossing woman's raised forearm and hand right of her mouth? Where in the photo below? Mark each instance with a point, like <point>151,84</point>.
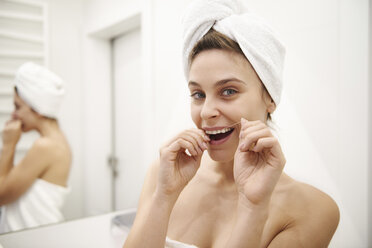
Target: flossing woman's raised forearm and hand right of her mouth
<point>258,164</point>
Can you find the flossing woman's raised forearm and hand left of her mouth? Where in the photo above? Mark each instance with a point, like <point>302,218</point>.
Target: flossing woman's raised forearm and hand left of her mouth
<point>163,184</point>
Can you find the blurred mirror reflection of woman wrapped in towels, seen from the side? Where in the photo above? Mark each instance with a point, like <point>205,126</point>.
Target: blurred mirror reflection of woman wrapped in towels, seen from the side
<point>33,191</point>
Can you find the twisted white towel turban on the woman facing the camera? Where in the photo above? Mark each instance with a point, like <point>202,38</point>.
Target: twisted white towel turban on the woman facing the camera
<point>256,39</point>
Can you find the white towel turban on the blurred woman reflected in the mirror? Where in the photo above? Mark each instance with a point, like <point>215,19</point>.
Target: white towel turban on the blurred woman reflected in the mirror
<point>40,88</point>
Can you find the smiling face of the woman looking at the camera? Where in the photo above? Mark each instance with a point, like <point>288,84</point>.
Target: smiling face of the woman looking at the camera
<point>224,88</point>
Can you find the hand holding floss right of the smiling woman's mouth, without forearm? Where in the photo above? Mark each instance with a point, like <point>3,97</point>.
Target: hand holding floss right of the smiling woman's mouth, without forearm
<point>258,163</point>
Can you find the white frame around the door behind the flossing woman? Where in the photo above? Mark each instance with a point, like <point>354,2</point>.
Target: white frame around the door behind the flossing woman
<point>98,42</point>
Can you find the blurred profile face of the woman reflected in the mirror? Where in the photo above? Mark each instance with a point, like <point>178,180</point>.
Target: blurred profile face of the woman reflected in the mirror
<point>24,113</point>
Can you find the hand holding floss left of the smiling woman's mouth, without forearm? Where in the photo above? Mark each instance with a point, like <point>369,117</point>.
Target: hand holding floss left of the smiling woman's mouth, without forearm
<point>177,168</point>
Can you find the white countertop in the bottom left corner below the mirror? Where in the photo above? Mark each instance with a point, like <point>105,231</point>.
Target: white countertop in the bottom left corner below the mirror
<point>96,231</point>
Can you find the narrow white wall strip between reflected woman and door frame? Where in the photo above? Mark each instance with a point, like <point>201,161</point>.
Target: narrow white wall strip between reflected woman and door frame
<point>65,59</point>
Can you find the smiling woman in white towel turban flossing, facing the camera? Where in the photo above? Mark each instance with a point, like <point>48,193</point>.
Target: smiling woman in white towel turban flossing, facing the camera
<point>236,194</point>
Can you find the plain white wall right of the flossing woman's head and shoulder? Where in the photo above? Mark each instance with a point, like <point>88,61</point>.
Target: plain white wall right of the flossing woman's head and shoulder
<point>326,105</point>
